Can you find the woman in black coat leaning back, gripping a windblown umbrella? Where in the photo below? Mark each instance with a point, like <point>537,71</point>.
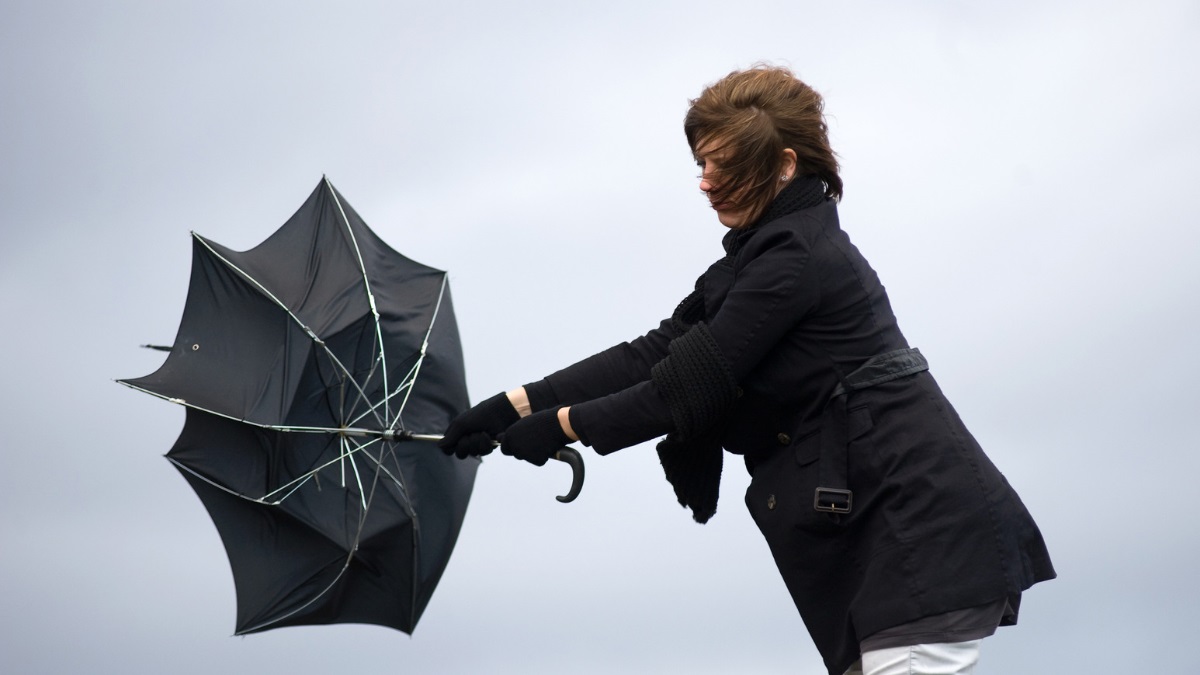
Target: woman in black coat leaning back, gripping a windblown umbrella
<point>899,541</point>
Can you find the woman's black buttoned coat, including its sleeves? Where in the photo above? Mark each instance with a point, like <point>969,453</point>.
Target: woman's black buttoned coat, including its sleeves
<point>795,309</point>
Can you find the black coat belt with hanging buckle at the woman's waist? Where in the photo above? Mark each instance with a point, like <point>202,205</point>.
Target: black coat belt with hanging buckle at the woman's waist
<point>833,494</point>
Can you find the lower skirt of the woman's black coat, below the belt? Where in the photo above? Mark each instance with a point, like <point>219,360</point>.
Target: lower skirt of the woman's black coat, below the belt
<point>935,527</point>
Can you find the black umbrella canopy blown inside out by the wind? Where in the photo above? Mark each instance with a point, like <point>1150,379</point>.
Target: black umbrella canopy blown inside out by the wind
<point>305,363</point>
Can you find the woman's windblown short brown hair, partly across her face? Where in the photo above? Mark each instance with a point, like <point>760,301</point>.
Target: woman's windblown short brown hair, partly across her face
<point>753,116</point>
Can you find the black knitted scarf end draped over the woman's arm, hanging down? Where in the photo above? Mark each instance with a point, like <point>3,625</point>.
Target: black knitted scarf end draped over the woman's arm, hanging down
<point>699,389</point>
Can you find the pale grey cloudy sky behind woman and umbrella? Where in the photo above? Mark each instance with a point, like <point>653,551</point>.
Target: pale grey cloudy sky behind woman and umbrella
<point>1023,176</point>
